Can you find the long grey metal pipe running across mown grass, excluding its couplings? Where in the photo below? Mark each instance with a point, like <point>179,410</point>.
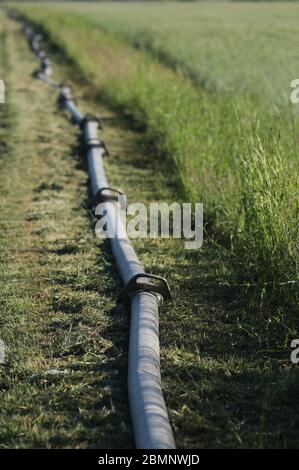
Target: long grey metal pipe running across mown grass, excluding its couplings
<point>149,415</point>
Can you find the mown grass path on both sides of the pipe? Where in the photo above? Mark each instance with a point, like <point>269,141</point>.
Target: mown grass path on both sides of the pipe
<point>58,287</point>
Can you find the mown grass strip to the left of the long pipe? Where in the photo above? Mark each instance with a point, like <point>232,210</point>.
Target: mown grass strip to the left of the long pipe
<point>65,368</point>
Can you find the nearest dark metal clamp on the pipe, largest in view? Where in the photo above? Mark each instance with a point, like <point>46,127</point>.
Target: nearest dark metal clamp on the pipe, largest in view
<point>133,286</point>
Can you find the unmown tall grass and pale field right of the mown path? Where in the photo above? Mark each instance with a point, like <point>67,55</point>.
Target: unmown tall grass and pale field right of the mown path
<point>232,147</point>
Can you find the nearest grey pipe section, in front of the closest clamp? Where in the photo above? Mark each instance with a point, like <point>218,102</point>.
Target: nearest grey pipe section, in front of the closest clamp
<point>148,410</point>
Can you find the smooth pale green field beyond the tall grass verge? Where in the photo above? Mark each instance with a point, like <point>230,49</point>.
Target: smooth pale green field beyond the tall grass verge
<point>224,47</point>
